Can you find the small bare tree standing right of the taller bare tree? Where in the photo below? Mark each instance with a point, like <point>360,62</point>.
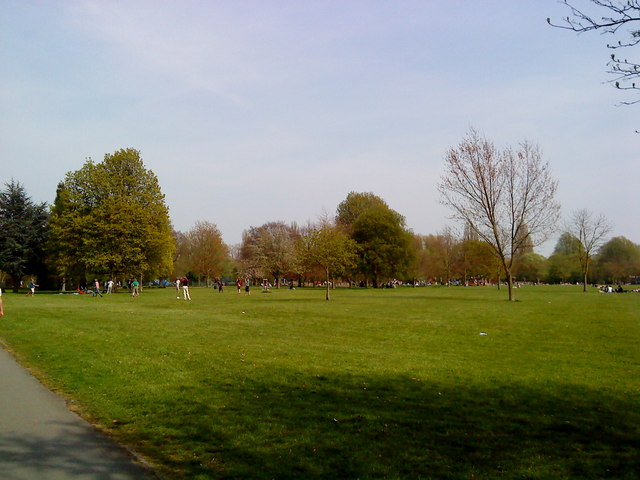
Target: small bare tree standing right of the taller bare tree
<point>590,231</point>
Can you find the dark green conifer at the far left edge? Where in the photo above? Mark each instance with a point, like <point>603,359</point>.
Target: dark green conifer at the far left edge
<point>23,232</point>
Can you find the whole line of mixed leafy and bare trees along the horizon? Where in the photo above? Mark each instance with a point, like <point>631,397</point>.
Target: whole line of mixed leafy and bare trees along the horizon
<point>109,220</point>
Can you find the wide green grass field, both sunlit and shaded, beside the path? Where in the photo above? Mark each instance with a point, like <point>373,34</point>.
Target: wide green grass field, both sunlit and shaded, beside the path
<point>374,384</point>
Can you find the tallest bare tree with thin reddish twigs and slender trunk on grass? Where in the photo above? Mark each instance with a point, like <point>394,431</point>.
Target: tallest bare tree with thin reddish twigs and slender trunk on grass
<point>500,194</point>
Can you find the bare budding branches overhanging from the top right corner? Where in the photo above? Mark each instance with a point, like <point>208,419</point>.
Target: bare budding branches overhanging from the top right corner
<point>608,17</point>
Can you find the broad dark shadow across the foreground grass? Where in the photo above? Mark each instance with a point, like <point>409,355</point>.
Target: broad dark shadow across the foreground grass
<point>326,428</point>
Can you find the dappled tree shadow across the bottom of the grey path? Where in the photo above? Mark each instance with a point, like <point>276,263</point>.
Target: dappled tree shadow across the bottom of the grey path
<point>70,452</point>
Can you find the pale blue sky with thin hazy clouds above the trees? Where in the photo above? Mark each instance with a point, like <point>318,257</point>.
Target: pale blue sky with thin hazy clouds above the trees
<point>257,111</point>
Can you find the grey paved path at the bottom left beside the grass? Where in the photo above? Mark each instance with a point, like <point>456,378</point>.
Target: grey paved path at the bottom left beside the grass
<point>40,439</point>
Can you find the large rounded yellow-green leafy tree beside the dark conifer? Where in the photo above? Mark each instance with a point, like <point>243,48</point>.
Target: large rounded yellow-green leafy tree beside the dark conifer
<point>111,218</point>
